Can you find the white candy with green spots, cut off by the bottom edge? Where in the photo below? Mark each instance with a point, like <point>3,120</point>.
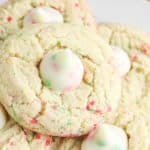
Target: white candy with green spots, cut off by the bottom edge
<point>106,137</point>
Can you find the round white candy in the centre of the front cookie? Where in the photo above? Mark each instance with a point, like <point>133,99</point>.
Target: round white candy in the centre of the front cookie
<point>61,70</point>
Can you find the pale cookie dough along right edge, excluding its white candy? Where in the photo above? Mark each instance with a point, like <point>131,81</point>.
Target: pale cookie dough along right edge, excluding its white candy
<point>134,107</point>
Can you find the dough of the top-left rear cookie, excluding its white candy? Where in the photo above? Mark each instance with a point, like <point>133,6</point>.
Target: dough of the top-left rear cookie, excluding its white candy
<point>74,11</point>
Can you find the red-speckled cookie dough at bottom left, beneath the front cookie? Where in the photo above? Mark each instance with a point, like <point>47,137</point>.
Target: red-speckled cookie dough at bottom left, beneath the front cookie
<point>14,137</point>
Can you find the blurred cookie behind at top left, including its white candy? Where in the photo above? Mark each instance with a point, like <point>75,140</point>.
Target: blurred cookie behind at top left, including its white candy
<point>18,14</point>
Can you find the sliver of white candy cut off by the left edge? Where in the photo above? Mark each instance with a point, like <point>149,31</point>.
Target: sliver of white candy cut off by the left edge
<point>3,117</point>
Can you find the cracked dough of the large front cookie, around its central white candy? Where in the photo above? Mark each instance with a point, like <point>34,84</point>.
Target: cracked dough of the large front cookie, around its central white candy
<point>34,104</point>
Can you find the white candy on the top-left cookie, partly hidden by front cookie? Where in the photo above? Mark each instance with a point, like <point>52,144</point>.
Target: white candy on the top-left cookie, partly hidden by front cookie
<point>43,15</point>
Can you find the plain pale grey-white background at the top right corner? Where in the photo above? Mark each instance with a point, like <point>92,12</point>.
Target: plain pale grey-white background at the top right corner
<point>132,12</point>
